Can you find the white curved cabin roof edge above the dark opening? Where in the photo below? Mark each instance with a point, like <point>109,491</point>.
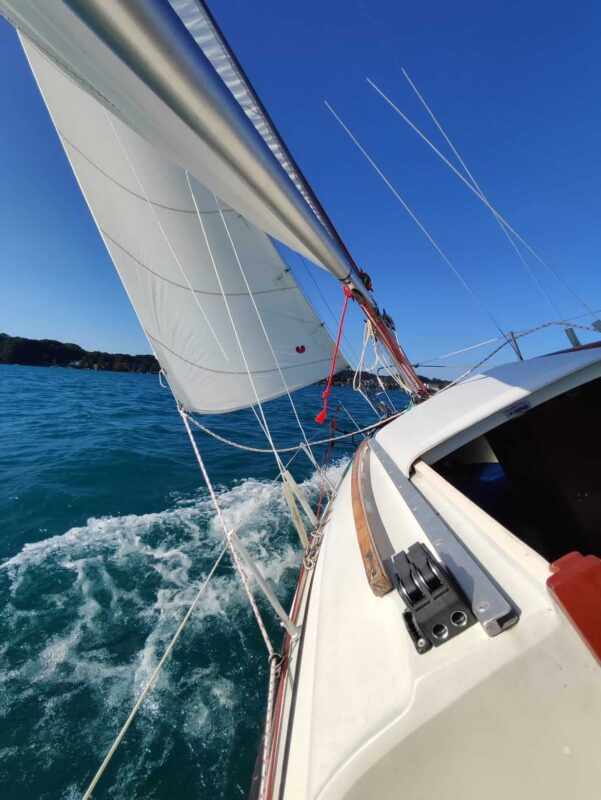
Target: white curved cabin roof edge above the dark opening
<point>481,402</point>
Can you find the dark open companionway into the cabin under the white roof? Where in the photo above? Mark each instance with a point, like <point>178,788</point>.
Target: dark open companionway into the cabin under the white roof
<point>538,474</point>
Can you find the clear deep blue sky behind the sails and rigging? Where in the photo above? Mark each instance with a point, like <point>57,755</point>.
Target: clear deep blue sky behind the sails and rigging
<point>515,84</point>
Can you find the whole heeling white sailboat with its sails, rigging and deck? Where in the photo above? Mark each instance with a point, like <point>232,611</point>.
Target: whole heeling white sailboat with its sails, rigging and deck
<point>445,635</point>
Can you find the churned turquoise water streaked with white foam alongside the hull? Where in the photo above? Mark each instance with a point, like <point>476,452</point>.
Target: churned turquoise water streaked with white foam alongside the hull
<point>88,614</point>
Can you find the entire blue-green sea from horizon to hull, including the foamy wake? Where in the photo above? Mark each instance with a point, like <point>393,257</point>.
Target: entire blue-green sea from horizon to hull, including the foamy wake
<point>106,534</point>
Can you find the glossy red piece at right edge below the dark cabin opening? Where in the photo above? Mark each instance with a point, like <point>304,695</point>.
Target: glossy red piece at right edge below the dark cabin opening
<point>576,585</point>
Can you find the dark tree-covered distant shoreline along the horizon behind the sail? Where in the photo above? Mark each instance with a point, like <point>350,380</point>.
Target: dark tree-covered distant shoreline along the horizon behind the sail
<point>21,351</point>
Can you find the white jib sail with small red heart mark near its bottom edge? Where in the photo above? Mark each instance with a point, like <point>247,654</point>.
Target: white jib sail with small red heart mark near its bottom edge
<point>222,312</point>
